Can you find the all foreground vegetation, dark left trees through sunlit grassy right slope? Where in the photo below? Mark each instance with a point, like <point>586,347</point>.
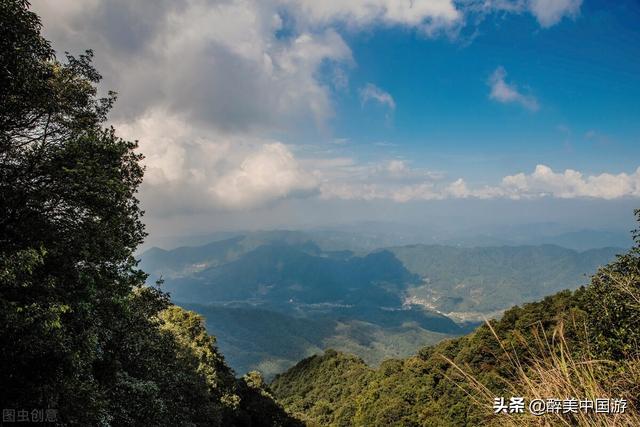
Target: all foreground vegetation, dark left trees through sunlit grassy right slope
<point>83,333</point>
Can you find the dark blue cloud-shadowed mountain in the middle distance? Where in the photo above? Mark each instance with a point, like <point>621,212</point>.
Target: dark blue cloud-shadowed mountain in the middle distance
<point>279,274</point>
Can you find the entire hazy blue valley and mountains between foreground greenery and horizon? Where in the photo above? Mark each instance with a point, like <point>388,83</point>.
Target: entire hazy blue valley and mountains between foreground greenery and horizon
<point>275,297</point>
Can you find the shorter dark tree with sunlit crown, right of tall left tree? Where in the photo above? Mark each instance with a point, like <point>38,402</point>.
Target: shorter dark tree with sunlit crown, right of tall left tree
<point>149,374</point>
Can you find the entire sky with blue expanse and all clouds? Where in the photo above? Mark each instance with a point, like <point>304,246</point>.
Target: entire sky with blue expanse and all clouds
<point>263,113</point>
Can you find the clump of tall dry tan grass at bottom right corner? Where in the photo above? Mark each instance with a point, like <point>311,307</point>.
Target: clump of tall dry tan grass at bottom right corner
<point>551,371</point>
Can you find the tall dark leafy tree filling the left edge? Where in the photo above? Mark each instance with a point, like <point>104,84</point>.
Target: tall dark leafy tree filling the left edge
<point>69,223</point>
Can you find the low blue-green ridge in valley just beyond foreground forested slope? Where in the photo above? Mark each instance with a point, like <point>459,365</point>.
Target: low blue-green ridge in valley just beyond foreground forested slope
<point>271,342</point>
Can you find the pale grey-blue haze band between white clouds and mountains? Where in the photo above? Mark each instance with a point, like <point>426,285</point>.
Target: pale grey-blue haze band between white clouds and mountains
<point>428,224</point>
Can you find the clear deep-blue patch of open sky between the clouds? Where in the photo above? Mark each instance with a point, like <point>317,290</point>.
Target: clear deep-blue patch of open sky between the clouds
<point>584,72</point>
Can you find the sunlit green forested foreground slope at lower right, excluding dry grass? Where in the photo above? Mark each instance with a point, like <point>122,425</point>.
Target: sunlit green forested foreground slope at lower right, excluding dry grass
<point>336,389</point>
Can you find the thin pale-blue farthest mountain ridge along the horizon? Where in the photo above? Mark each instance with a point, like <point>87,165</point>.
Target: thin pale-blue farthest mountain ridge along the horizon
<point>369,236</point>
